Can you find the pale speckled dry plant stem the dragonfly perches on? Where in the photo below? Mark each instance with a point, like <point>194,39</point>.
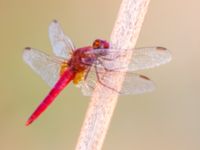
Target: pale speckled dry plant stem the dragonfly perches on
<point>124,35</point>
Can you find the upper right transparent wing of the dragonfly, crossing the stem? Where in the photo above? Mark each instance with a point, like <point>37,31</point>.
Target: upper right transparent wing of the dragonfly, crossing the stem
<point>142,58</point>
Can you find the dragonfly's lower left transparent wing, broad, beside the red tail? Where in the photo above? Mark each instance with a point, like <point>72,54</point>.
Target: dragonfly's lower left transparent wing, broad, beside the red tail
<point>46,66</point>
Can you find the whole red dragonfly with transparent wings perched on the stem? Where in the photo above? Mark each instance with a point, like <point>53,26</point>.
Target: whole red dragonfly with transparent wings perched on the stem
<point>85,66</point>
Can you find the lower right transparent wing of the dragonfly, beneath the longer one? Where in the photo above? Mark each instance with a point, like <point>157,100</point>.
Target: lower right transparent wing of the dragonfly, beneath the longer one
<point>133,84</point>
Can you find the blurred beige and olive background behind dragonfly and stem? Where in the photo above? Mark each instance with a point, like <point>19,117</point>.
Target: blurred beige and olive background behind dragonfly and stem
<point>166,119</point>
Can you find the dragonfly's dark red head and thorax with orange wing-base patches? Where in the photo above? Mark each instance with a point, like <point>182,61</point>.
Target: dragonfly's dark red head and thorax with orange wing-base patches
<point>83,58</point>
